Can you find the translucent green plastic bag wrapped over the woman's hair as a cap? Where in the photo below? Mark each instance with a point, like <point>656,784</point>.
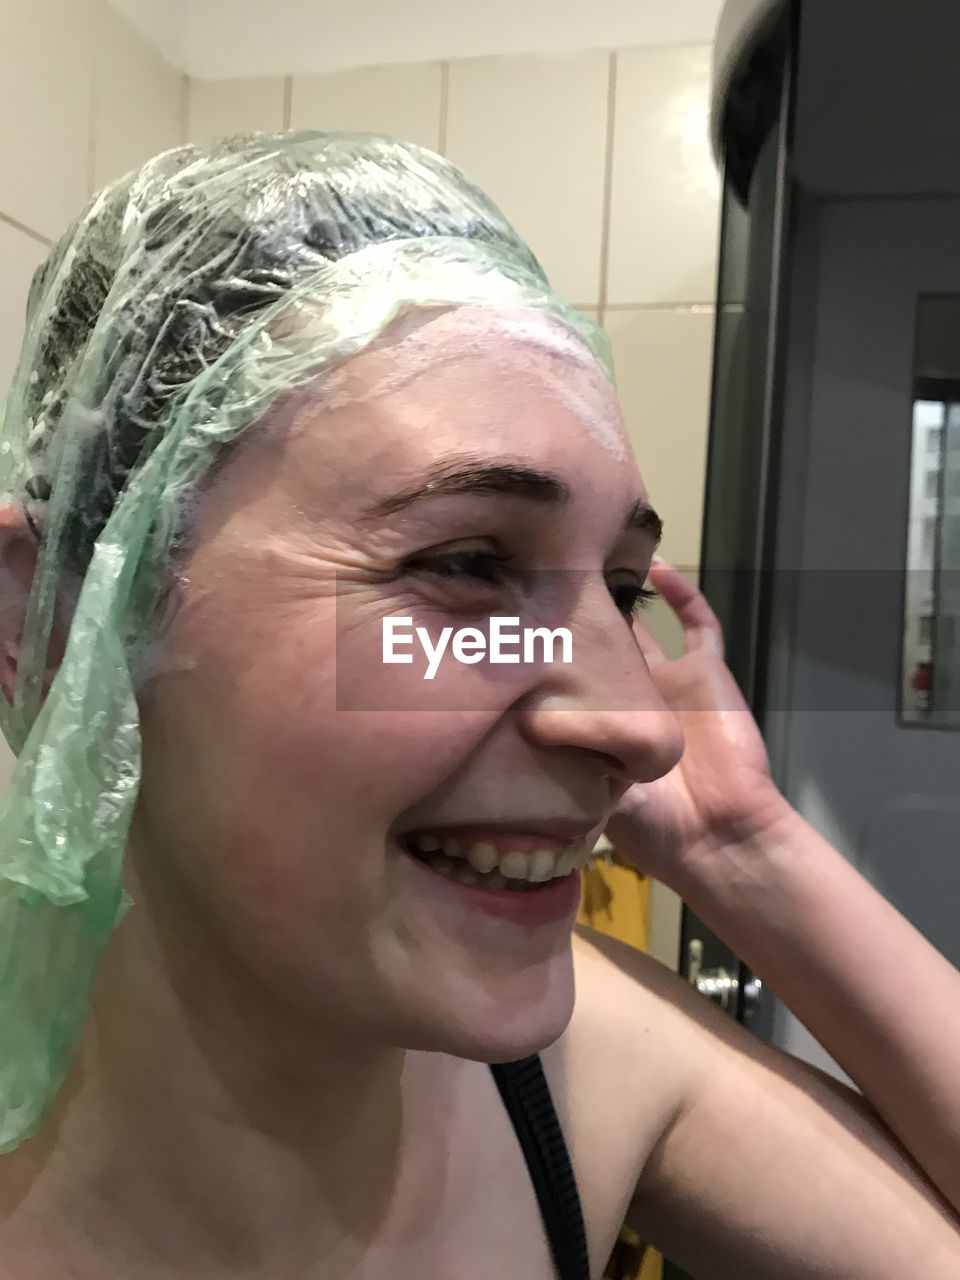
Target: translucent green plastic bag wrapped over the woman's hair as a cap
<point>180,305</point>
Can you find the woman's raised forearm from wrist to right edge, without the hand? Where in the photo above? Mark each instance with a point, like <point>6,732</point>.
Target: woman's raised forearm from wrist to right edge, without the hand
<point>860,976</point>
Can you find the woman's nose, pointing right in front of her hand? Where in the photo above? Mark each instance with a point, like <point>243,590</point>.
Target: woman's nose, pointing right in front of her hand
<point>606,703</point>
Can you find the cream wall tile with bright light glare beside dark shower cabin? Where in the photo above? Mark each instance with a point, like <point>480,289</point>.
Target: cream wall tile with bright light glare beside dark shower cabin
<point>665,202</point>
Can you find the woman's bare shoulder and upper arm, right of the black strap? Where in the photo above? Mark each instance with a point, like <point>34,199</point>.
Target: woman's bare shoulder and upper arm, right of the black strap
<point>747,1164</point>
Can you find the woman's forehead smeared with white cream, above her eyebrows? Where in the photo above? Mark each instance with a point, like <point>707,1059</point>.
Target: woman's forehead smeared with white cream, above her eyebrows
<point>505,405</point>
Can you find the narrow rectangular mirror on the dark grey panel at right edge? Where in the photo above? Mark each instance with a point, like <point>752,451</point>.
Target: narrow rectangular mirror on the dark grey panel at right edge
<point>930,692</point>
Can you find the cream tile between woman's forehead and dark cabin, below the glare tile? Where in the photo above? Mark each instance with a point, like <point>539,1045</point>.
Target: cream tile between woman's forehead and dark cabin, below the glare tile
<point>664,362</point>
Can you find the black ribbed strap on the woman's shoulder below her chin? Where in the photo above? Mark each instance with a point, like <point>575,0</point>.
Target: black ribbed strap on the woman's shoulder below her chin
<point>529,1104</point>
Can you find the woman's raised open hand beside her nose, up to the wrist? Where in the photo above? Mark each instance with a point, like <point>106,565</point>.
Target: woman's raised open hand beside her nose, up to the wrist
<point>721,793</point>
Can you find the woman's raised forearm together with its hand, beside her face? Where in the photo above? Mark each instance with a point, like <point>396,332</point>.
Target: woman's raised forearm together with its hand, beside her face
<point>866,984</point>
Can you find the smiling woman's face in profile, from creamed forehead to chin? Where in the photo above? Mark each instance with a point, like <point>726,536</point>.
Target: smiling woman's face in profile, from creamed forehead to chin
<point>289,770</point>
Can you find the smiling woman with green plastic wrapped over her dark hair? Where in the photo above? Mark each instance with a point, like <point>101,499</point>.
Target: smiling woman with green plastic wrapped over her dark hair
<point>277,399</point>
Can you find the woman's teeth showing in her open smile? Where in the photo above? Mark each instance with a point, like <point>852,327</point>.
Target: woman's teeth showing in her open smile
<point>481,865</point>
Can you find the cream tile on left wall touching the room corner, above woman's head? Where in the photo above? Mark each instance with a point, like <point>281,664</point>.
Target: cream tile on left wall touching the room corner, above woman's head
<point>139,100</point>
